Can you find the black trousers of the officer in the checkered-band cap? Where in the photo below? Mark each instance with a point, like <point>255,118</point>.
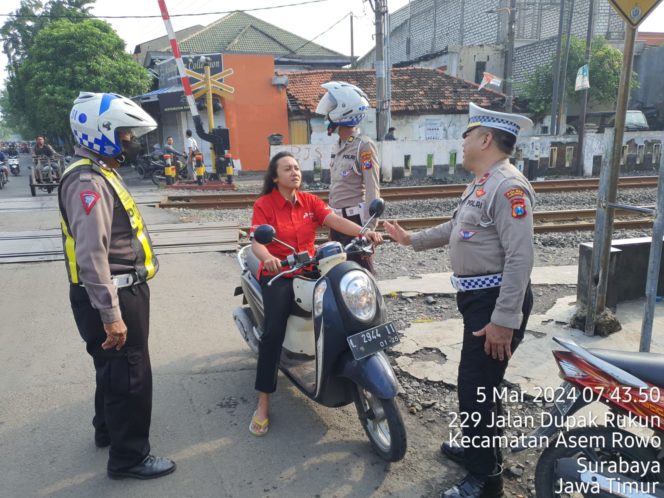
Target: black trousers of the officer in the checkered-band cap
<point>479,374</point>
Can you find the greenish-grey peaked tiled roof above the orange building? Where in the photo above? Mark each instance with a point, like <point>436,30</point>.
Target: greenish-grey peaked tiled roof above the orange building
<point>240,32</point>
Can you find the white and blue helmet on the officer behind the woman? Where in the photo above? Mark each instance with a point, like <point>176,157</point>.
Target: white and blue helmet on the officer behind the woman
<point>344,104</point>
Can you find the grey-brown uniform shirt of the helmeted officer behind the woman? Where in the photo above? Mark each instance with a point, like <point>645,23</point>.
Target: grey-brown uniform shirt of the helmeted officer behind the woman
<point>354,174</point>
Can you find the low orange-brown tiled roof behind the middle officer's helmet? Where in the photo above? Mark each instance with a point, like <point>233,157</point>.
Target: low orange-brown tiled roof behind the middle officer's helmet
<point>414,90</point>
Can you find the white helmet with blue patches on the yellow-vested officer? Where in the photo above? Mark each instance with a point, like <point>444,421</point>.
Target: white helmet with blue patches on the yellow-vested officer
<point>96,119</point>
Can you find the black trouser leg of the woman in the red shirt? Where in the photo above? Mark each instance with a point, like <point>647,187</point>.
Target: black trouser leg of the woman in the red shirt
<point>277,303</point>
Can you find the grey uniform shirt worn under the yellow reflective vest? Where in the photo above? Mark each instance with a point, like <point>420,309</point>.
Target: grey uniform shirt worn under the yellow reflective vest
<point>103,236</point>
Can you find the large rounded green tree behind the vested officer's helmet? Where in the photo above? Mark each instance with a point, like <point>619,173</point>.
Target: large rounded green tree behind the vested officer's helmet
<point>65,58</point>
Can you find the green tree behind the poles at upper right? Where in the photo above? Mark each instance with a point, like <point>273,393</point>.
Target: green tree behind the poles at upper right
<point>604,73</point>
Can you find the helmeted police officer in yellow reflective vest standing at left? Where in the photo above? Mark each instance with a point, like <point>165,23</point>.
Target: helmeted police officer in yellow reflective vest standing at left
<point>109,258</point>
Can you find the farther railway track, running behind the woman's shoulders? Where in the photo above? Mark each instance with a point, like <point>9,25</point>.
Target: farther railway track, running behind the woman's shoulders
<point>238,201</point>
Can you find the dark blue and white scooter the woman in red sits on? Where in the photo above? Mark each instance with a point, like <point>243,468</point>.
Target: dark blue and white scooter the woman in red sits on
<point>336,334</point>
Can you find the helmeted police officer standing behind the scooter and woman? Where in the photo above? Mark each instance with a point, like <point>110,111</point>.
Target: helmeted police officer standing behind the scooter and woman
<point>354,169</point>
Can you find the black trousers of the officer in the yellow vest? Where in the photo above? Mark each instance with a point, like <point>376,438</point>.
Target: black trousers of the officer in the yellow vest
<point>123,396</point>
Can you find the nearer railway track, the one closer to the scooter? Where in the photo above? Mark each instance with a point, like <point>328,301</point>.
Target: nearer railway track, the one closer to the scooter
<point>545,221</point>
